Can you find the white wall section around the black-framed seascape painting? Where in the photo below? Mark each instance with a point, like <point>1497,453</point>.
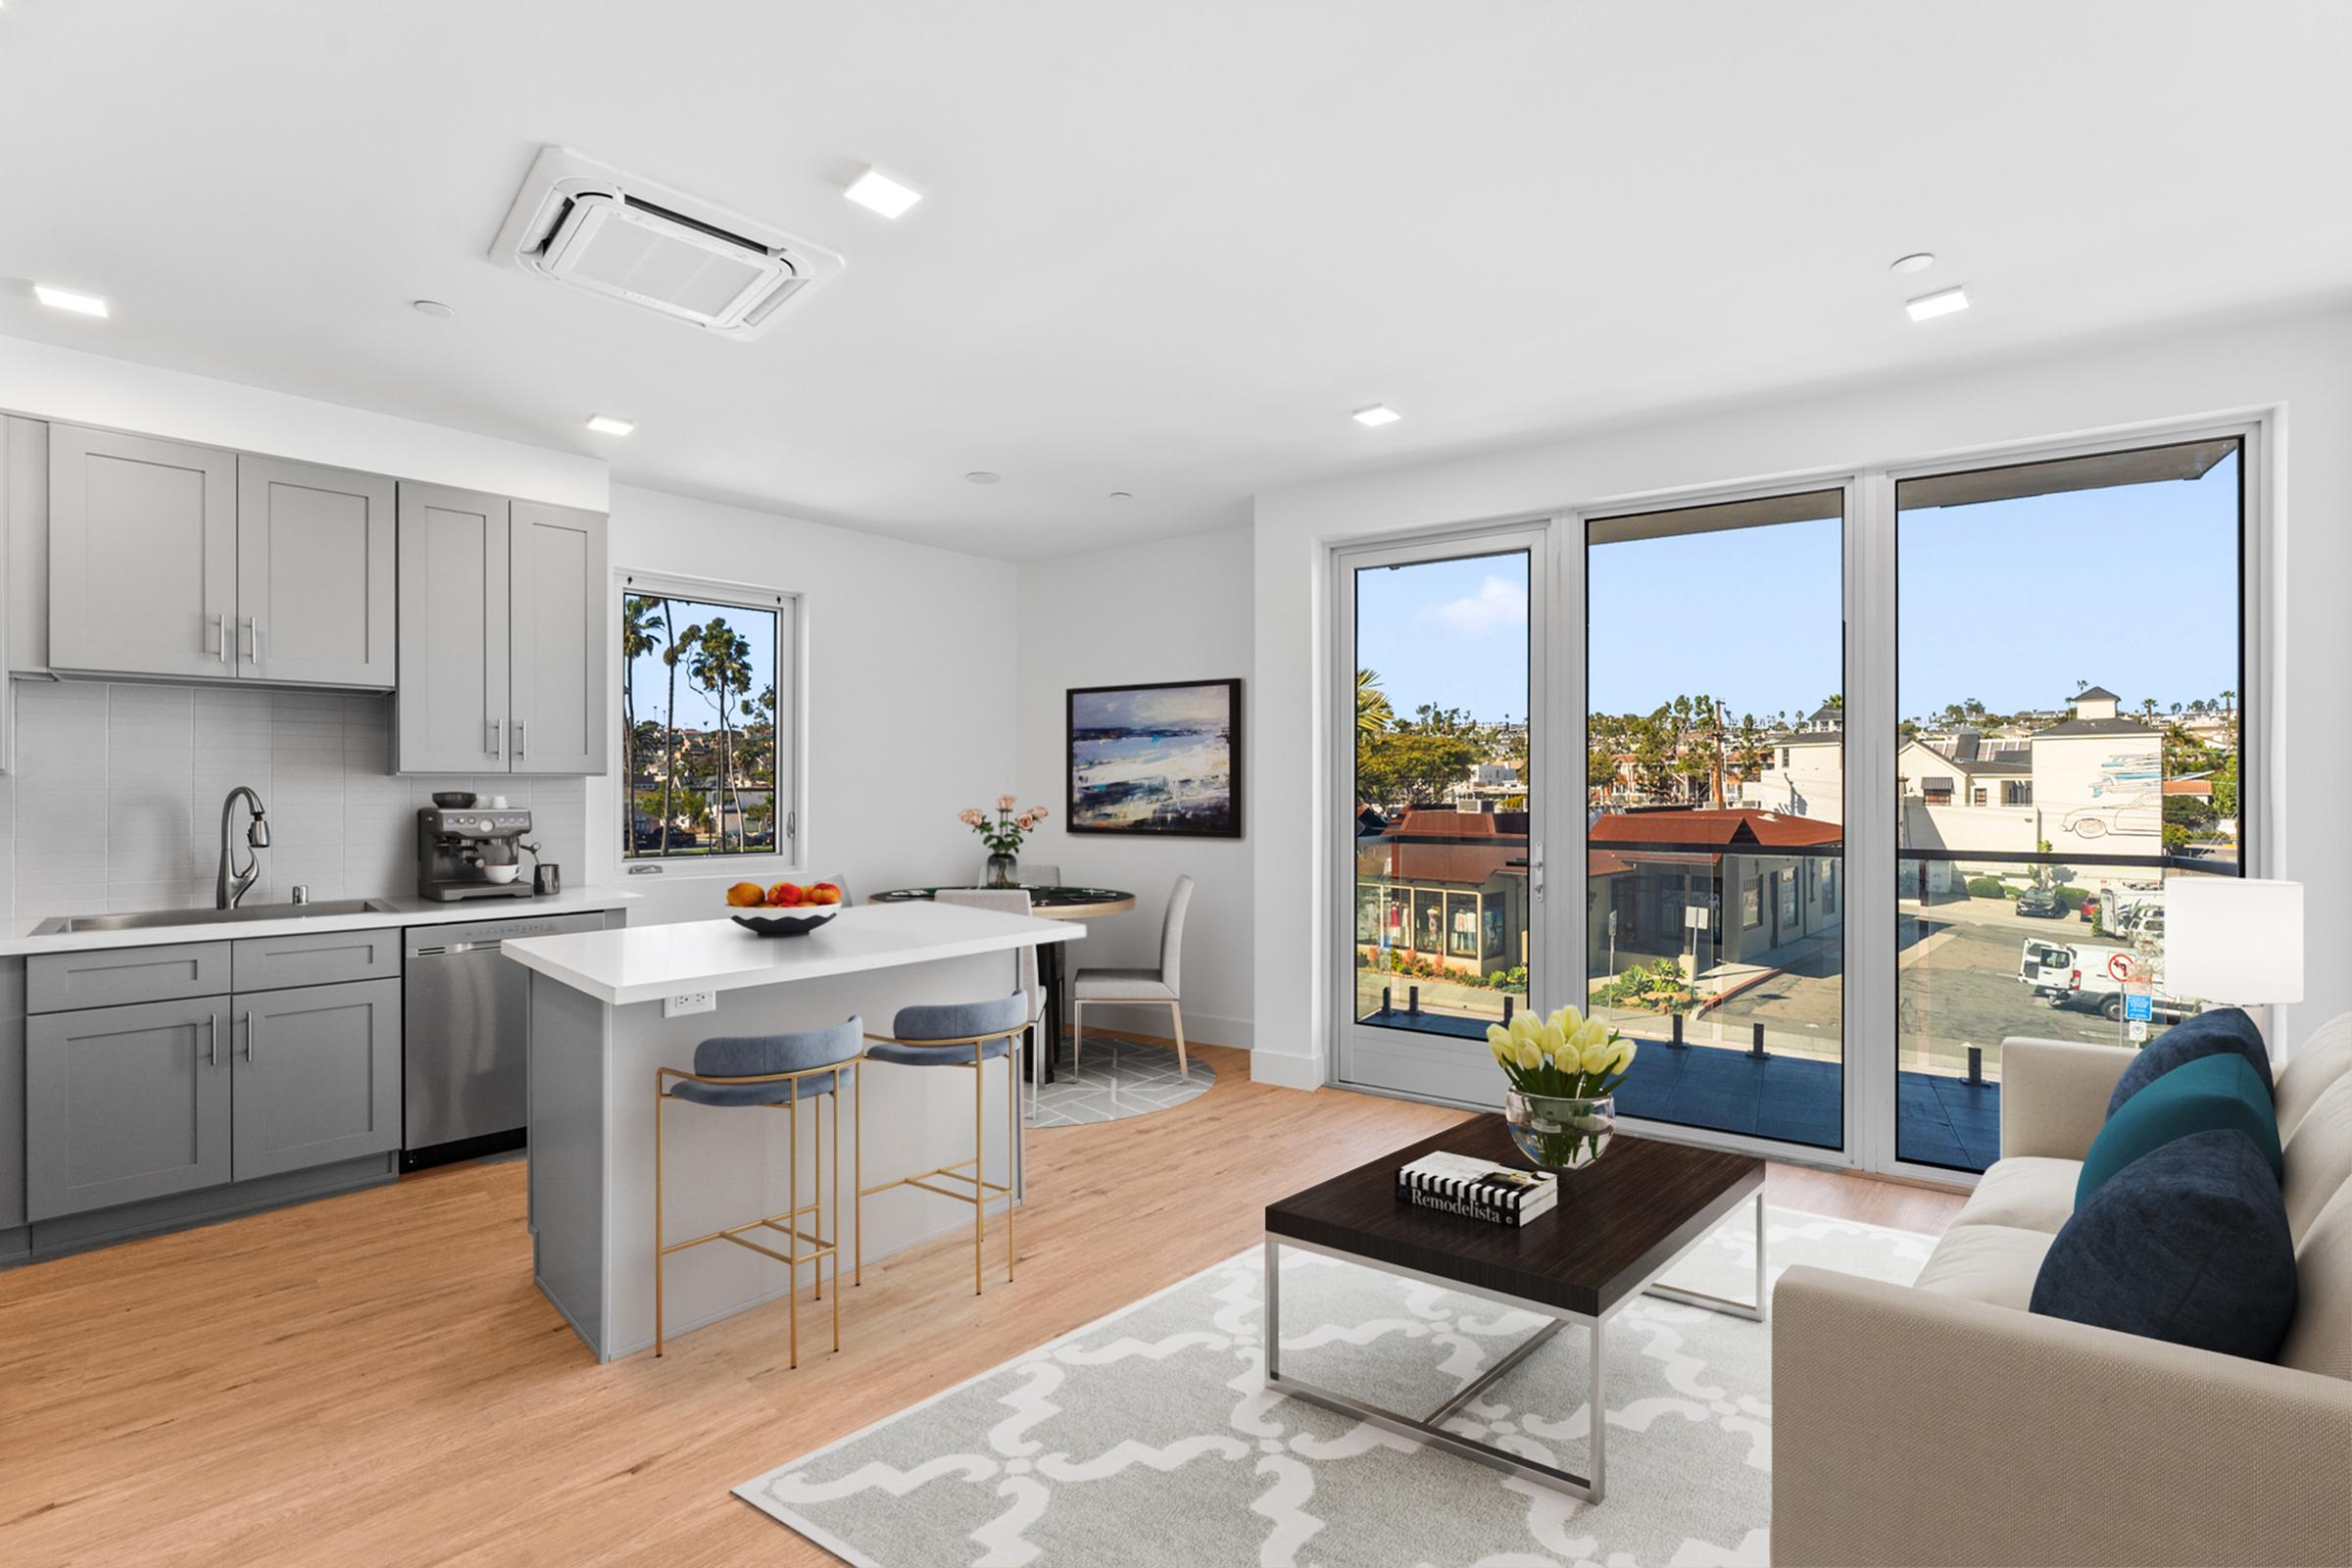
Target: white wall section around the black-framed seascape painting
<point>1168,610</point>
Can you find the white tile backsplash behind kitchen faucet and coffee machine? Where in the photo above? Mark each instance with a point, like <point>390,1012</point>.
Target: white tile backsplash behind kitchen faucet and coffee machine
<point>116,800</point>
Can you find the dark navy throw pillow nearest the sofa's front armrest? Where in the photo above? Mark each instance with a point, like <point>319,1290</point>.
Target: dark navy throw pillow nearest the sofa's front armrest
<point>2186,1245</point>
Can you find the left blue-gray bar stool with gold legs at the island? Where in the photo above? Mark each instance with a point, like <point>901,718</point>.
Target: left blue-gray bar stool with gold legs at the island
<point>770,1073</point>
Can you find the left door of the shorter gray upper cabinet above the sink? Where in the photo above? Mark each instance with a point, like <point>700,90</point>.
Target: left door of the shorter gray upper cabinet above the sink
<point>142,556</point>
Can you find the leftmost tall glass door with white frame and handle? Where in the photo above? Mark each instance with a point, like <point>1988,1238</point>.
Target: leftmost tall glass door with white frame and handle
<point>1443,808</point>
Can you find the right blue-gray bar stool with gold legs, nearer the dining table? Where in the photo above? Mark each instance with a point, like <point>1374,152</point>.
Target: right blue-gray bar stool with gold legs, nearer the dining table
<point>954,1036</point>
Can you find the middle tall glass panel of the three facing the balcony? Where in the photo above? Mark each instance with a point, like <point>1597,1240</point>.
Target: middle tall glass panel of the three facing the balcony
<point>1716,810</point>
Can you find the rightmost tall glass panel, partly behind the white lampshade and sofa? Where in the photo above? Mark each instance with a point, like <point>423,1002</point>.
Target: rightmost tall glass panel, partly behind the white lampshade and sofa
<point>2069,685</point>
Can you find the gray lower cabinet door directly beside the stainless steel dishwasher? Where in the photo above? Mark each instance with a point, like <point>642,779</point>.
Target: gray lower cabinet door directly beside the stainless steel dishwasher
<point>316,1076</point>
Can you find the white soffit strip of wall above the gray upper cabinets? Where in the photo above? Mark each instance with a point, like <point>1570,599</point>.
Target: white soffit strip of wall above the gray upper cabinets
<point>88,389</point>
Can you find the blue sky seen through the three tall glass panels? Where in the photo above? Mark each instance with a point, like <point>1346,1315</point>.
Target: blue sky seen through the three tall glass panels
<point>2012,603</point>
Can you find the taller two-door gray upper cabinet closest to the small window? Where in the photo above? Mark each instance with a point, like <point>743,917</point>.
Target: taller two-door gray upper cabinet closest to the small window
<point>502,636</point>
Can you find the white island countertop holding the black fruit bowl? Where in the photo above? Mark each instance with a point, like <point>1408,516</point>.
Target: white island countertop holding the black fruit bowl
<point>716,956</point>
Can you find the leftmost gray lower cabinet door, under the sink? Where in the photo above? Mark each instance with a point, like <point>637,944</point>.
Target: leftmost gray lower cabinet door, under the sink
<point>126,1104</point>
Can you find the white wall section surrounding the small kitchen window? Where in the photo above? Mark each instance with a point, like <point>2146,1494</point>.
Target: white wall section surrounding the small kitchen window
<point>909,688</point>
